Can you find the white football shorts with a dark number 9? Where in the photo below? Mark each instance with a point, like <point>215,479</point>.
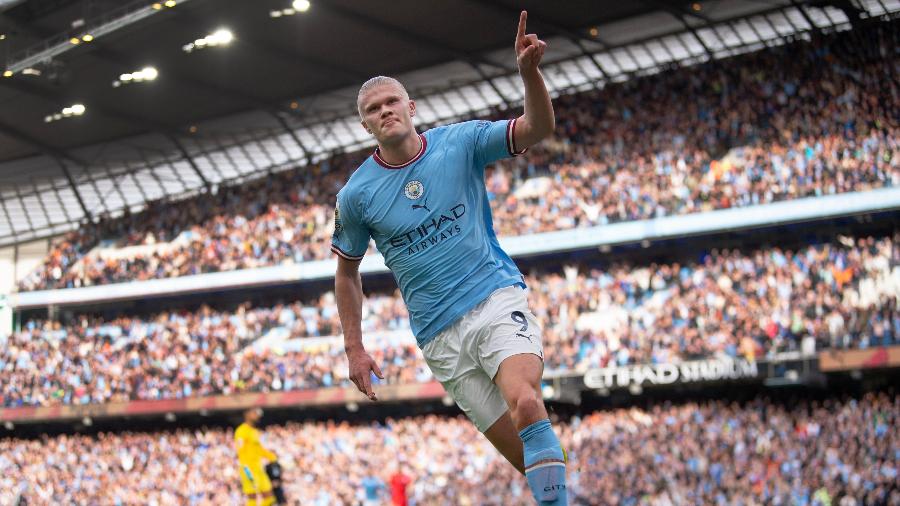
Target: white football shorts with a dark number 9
<point>465,356</point>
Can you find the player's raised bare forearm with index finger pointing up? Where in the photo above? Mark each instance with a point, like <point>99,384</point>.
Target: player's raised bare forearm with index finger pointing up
<point>538,122</point>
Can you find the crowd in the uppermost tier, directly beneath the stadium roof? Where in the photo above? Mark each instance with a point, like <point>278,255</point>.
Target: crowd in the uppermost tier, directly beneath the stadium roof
<point>807,119</point>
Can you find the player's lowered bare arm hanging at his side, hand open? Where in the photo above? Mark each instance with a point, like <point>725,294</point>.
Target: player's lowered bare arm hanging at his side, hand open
<point>349,295</point>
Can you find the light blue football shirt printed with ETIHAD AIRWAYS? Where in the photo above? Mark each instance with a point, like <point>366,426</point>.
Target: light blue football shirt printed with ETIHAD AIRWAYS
<point>431,220</point>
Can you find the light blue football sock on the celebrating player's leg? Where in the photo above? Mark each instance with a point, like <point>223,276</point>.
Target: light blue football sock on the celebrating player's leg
<point>545,465</point>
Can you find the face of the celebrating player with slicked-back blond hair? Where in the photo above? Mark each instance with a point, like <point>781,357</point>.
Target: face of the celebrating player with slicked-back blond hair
<point>387,113</point>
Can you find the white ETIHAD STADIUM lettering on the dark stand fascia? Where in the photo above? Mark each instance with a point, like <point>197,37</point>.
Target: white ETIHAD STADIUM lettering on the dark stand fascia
<point>668,374</point>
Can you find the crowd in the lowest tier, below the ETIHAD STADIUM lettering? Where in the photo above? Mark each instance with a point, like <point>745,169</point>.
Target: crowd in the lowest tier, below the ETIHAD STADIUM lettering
<point>831,452</point>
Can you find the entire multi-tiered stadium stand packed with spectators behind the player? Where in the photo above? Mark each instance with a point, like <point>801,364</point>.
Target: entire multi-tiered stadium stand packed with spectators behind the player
<point>109,404</point>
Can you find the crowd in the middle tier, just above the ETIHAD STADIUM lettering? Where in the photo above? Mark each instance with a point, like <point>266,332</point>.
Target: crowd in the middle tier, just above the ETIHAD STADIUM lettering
<point>730,304</point>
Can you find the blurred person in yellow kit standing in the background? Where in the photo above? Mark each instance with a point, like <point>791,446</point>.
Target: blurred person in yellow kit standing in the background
<point>251,453</point>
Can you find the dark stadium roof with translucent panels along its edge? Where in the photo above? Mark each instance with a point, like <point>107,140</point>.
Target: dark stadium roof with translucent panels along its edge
<point>283,92</point>
